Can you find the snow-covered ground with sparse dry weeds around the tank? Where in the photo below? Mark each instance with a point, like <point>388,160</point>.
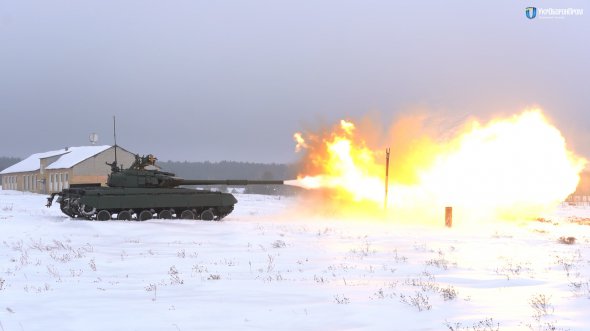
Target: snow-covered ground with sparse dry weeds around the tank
<point>261,269</point>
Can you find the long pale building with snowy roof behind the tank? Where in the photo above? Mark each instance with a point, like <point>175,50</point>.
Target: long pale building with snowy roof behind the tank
<point>53,171</point>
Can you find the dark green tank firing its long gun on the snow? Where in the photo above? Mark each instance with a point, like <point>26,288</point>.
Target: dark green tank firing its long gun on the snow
<point>142,192</point>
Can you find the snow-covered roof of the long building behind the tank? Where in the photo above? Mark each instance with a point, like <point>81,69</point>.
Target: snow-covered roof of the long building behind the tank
<point>67,159</point>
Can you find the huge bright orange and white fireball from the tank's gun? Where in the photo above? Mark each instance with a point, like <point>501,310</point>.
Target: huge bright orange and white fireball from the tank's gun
<point>510,168</point>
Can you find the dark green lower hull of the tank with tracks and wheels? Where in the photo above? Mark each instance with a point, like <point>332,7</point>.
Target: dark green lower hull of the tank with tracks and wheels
<point>104,203</point>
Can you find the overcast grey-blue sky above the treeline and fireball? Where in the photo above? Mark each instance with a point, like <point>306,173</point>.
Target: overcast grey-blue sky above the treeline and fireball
<point>233,80</point>
